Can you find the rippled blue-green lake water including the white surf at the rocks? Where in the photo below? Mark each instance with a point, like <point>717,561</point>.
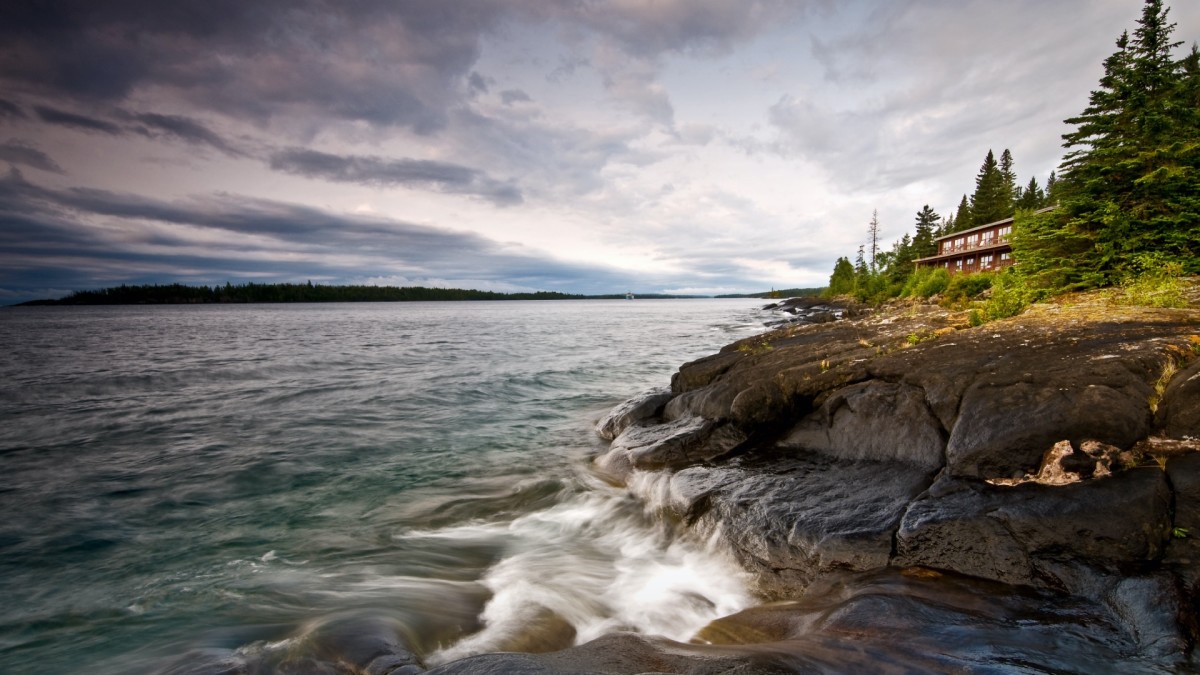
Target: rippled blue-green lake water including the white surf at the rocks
<point>236,480</point>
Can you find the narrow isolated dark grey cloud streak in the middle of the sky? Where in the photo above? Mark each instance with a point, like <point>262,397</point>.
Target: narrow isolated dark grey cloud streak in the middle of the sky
<point>383,172</point>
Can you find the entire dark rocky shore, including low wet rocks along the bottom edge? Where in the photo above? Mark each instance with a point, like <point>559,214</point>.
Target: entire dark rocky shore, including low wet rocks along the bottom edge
<point>913,494</point>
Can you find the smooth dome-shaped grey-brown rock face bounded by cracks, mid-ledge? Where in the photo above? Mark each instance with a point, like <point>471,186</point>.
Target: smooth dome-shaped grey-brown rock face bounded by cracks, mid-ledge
<point>874,421</point>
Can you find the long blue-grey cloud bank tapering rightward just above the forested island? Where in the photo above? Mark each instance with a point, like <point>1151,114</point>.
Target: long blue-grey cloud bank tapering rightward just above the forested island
<point>98,238</point>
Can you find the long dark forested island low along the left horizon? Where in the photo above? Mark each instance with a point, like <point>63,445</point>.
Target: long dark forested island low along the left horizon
<point>184,295</point>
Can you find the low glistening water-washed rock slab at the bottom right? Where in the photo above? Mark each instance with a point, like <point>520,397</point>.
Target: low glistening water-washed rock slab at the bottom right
<point>920,622</point>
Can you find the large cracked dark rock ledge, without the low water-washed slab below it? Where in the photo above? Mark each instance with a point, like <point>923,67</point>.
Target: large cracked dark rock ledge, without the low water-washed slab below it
<point>1051,453</point>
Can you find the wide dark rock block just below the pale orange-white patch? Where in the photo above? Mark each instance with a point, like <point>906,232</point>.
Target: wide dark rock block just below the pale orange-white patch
<point>1016,535</point>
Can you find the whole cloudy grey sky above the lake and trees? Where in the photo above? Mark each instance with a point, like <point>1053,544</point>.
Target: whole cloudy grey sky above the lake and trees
<point>578,146</point>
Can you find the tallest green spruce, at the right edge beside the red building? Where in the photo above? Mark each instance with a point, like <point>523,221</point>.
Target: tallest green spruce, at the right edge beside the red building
<point>1131,181</point>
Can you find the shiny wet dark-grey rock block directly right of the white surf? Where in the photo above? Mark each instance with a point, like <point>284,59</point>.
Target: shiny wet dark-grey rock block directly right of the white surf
<point>791,519</point>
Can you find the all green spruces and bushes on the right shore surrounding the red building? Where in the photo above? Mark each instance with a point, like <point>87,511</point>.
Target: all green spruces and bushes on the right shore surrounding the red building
<point>1126,196</point>
